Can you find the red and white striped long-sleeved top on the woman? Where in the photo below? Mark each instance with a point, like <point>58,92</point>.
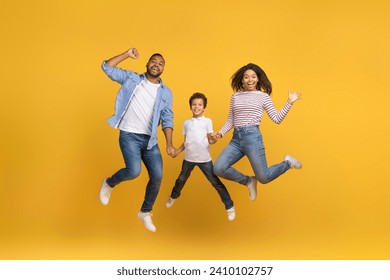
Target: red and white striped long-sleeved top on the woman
<point>247,108</point>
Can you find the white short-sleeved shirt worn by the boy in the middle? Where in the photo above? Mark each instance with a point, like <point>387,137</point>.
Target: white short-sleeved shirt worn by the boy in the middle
<point>197,148</point>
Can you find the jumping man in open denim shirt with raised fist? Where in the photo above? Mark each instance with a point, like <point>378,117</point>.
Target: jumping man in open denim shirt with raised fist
<point>142,103</point>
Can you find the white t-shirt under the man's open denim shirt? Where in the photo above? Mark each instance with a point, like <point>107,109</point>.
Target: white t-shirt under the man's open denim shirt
<point>139,115</point>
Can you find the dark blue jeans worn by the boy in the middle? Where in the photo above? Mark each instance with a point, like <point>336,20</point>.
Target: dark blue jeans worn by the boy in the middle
<point>207,169</point>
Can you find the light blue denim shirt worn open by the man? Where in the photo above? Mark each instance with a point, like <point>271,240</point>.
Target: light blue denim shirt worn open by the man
<point>129,80</point>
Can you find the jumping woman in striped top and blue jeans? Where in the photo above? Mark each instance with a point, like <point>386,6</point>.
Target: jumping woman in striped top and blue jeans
<point>251,98</point>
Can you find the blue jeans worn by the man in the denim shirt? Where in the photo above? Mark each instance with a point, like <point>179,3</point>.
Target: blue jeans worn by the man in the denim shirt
<point>134,150</point>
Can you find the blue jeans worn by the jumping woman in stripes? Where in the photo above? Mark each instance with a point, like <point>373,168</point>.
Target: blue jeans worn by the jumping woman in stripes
<point>247,141</point>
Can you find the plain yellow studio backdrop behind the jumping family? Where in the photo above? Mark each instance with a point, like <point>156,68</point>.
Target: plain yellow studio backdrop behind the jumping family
<point>56,147</point>
